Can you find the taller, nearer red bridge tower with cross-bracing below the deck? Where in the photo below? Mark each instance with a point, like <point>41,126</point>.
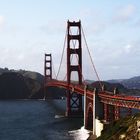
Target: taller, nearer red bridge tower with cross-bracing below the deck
<point>74,101</point>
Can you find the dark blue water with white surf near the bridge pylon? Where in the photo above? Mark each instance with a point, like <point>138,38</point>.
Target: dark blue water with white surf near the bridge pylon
<point>38,120</point>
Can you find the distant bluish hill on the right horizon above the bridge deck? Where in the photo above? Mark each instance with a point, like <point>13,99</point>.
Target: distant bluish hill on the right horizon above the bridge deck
<point>132,83</point>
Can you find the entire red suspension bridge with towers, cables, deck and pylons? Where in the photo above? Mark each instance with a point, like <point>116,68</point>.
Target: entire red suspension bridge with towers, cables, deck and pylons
<point>112,102</point>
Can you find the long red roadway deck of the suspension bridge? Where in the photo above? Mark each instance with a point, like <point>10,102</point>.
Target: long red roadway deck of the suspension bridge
<point>105,96</point>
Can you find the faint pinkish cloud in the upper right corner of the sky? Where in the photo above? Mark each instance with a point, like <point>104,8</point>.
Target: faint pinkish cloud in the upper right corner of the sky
<point>125,13</point>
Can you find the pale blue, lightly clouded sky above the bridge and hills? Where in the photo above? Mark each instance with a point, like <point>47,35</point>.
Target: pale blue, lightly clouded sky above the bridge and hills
<point>31,28</point>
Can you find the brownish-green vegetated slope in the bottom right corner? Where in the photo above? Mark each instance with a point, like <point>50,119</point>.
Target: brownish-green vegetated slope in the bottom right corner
<point>124,128</point>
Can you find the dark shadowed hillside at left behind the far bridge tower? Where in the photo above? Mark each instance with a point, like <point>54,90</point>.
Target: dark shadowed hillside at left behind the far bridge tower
<point>21,84</point>
